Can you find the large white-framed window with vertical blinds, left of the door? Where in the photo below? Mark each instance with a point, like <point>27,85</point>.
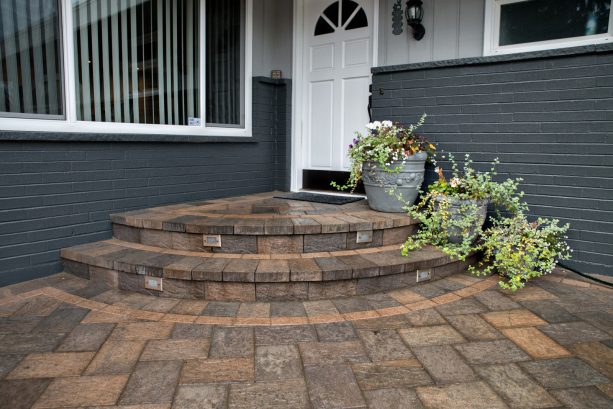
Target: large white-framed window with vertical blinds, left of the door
<point>134,66</point>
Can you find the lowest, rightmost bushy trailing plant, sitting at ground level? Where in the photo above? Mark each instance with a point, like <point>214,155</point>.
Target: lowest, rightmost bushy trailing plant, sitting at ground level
<point>519,250</point>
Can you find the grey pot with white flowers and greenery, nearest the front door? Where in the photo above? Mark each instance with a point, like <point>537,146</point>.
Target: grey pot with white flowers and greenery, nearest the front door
<point>389,159</point>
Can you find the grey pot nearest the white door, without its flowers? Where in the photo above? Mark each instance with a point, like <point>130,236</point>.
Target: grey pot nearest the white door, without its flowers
<point>405,181</point>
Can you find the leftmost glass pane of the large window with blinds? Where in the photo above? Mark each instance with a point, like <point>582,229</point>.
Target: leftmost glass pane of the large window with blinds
<point>30,61</point>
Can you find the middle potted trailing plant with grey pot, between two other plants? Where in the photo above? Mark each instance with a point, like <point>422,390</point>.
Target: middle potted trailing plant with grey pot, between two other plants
<point>452,212</point>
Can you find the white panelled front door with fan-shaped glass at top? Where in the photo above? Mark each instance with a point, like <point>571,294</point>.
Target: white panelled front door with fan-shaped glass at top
<point>338,56</point>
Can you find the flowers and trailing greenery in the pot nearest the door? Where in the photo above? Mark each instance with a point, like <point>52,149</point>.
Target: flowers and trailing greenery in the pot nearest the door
<point>385,143</point>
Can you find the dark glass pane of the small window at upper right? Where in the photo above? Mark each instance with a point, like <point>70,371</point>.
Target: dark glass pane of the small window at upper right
<point>542,20</point>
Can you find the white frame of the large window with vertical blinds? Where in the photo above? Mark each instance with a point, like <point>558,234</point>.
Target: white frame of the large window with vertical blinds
<point>70,123</point>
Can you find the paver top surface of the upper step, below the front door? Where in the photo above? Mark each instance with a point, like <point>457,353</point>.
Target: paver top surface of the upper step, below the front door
<point>250,217</point>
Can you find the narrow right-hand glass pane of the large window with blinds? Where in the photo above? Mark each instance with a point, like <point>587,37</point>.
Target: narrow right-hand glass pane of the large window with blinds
<point>225,50</point>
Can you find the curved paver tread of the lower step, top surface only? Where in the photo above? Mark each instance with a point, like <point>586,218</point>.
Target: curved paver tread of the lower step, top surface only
<point>115,255</point>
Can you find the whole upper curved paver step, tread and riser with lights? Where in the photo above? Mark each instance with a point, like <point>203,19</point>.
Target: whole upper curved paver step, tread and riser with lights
<point>262,225</point>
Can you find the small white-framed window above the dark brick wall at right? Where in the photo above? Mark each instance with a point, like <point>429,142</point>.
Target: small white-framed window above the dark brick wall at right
<point>529,25</point>
